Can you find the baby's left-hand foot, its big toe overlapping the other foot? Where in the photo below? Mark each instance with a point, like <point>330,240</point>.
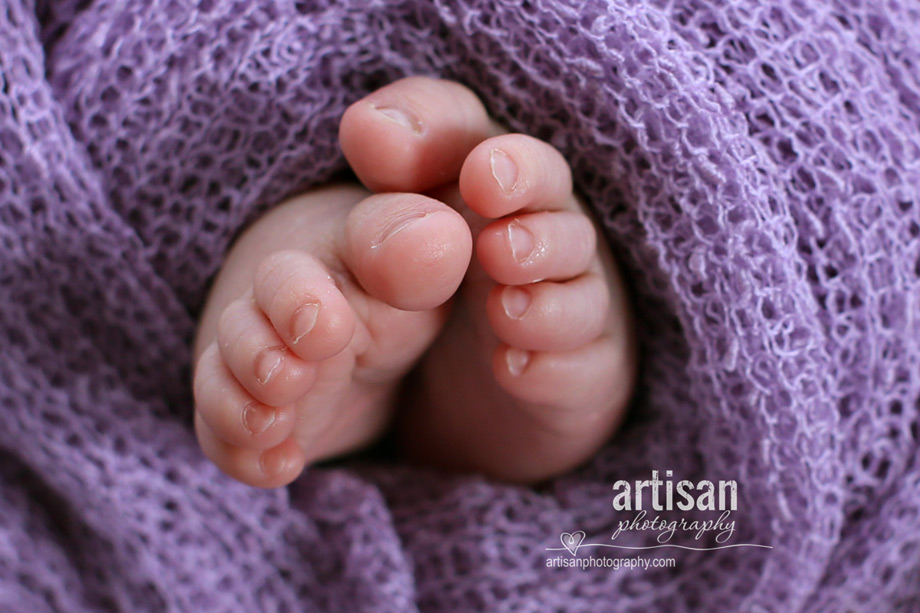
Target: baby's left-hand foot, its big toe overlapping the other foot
<point>300,355</point>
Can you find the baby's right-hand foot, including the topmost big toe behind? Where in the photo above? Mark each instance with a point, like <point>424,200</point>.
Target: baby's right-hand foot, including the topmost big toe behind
<point>534,369</point>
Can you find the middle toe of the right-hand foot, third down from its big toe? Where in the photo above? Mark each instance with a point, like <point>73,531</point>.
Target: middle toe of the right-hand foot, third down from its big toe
<point>525,248</point>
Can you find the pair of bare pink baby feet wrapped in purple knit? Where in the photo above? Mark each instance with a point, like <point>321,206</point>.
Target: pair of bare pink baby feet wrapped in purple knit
<point>461,297</point>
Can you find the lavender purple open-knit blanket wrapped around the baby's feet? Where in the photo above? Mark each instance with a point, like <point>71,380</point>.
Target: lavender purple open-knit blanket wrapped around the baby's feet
<point>755,164</point>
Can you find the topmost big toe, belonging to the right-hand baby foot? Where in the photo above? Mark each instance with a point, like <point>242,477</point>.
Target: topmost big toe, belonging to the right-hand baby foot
<point>414,134</point>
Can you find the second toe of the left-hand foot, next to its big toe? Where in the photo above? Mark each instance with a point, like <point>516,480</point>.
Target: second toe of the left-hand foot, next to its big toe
<point>304,305</point>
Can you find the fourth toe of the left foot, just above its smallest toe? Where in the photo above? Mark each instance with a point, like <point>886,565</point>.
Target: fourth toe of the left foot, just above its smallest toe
<point>231,413</point>
